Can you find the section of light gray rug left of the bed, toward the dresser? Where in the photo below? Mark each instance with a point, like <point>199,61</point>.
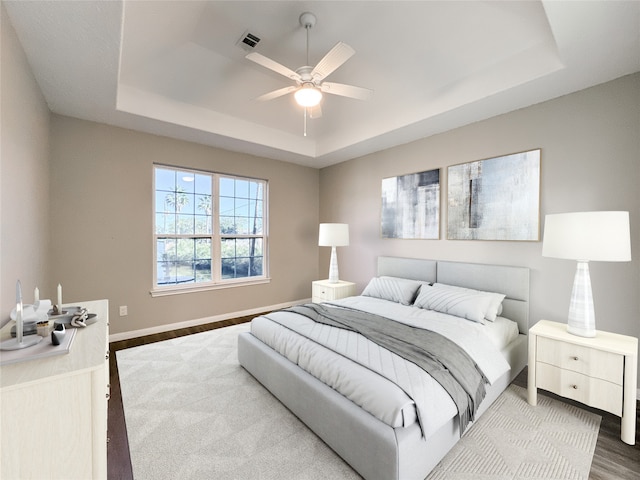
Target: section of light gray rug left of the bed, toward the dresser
<point>193,412</point>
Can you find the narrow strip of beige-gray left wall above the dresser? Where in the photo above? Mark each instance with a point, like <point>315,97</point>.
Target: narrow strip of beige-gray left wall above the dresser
<point>24,176</point>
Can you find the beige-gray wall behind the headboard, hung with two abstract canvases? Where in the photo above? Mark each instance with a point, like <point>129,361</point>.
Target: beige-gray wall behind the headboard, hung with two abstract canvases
<point>590,143</point>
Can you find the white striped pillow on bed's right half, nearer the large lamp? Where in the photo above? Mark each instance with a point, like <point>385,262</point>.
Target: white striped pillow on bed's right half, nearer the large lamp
<point>471,304</point>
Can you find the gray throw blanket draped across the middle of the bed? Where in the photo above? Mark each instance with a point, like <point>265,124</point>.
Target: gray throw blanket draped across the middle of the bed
<point>441,358</point>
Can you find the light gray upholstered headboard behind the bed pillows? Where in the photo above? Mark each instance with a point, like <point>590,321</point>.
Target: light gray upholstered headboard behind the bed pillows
<point>511,281</point>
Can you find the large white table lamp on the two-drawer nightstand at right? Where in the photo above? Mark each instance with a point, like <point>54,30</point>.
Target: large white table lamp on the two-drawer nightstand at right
<point>585,237</point>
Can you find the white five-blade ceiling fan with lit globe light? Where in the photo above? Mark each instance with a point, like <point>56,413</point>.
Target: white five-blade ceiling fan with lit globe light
<point>310,82</point>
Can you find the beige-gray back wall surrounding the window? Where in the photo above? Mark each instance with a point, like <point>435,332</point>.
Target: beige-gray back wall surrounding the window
<point>101,207</point>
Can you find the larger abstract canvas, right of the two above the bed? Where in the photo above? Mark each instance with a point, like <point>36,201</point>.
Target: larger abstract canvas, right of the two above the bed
<point>495,199</point>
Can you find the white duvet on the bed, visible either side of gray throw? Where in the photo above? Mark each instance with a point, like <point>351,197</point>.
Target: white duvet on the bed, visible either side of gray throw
<point>380,382</point>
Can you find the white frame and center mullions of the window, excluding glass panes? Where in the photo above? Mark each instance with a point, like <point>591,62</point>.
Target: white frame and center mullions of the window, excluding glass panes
<point>217,282</point>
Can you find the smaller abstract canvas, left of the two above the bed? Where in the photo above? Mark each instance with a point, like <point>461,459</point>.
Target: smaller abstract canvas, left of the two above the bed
<point>411,206</point>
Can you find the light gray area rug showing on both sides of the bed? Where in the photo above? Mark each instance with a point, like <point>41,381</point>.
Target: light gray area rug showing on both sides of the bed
<point>193,412</point>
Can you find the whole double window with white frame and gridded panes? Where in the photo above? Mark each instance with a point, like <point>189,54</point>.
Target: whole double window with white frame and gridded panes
<point>209,229</point>
